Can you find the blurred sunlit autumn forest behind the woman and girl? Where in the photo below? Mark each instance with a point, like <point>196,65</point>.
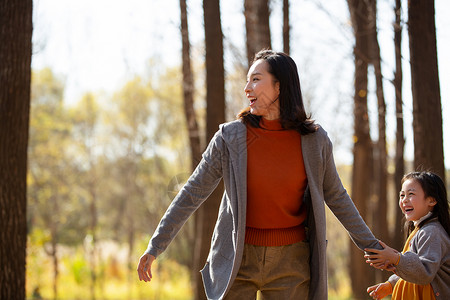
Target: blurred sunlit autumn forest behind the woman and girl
<point>97,138</point>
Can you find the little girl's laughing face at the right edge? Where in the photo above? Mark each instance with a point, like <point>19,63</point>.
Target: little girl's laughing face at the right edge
<point>413,202</point>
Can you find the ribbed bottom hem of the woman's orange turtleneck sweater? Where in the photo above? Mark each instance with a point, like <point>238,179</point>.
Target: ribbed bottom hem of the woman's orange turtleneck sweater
<point>275,237</point>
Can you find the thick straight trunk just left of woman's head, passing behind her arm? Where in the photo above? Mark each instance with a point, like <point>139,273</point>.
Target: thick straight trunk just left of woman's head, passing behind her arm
<point>215,115</point>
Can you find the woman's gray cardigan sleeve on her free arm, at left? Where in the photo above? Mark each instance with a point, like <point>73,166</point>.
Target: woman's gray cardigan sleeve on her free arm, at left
<point>199,186</point>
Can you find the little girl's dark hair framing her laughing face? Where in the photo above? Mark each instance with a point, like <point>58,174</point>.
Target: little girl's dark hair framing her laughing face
<point>434,187</point>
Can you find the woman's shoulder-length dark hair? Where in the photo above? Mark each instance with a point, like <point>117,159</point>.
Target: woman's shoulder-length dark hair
<point>292,110</point>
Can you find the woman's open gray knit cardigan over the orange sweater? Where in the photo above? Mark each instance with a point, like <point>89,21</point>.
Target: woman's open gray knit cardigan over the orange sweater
<point>226,157</point>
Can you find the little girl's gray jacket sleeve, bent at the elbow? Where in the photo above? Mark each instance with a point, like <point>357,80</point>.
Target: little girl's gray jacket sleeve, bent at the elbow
<point>421,266</point>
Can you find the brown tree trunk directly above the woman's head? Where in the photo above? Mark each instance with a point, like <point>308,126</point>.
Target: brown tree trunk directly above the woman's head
<point>257,26</point>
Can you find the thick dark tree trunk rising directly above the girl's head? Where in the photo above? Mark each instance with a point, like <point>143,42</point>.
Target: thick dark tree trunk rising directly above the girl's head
<point>427,109</point>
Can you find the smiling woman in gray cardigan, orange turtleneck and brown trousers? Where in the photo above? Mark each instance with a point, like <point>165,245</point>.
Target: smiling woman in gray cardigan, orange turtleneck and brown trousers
<point>278,170</point>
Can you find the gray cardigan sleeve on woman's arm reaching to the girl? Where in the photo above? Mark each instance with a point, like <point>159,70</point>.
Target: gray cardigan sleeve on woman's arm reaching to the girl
<point>342,205</point>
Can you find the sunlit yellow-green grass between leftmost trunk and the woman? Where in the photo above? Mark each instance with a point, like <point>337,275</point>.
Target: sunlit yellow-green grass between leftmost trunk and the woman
<point>114,280</point>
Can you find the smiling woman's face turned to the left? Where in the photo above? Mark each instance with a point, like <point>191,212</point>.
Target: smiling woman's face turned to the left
<point>262,91</point>
